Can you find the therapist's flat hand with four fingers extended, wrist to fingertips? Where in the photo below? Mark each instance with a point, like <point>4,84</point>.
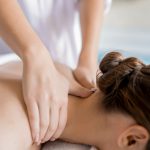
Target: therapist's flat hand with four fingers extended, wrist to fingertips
<point>46,97</point>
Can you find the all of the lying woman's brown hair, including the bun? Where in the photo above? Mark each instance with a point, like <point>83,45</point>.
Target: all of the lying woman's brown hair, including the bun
<point>126,85</point>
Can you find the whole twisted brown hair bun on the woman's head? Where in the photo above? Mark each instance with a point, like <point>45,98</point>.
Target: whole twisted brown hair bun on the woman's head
<point>117,70</point>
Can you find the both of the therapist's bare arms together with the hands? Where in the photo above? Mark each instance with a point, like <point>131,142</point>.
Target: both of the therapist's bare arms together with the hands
<point>17,32</point>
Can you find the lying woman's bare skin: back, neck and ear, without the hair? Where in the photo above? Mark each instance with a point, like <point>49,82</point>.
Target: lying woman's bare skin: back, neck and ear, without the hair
<point>87,123</point>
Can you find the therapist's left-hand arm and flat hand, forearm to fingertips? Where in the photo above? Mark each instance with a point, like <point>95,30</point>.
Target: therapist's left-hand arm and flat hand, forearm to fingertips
<point>17,32</point>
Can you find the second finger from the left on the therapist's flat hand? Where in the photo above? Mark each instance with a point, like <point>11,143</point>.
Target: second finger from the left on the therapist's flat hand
<point>44,118</point>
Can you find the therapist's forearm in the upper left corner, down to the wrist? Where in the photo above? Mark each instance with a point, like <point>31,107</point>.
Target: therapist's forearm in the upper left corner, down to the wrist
<point>17,32</point>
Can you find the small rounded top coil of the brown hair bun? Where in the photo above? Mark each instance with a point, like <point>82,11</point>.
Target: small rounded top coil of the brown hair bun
<point>110,61</point>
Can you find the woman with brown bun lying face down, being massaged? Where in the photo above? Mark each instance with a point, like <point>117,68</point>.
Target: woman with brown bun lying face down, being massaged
<point>115,117</point>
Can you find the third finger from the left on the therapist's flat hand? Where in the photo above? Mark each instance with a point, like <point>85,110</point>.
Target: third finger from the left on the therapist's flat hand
<point>54,118</point>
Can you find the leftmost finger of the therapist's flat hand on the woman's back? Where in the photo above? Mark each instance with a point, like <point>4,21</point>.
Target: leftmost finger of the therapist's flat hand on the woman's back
<point>33,114</point>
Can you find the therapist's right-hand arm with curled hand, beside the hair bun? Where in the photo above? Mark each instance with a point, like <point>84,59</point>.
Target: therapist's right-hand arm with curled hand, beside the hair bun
<point>91,19</point>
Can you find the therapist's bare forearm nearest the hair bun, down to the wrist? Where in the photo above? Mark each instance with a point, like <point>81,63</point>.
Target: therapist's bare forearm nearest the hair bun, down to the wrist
<point>91,18</point>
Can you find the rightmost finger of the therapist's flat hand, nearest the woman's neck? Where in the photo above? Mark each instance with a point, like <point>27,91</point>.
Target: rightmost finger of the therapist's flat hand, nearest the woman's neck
<point>62,122</point>
